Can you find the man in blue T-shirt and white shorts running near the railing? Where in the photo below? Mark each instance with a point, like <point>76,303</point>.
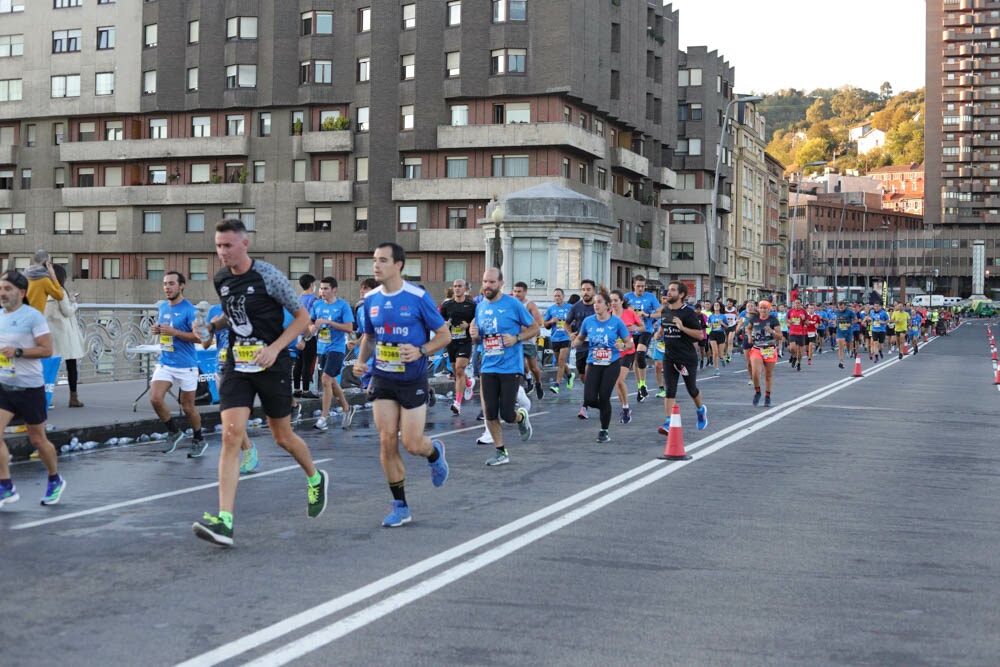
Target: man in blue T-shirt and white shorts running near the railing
<point>174,330</point>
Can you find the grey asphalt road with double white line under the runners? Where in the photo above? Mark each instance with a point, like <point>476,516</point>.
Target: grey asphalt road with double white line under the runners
<point>854,523</point>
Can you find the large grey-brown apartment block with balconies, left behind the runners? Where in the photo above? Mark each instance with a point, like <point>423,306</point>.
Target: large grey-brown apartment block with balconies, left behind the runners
<point>128,128</point>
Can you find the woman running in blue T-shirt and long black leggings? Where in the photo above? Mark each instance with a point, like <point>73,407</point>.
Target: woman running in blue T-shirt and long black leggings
<point>606,337</point>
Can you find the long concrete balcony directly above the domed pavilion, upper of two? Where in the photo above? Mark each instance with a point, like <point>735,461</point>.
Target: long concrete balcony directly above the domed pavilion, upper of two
<point>526,135</point>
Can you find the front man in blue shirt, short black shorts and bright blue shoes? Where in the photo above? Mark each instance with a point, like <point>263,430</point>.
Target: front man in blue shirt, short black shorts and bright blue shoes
<point>399,318</point>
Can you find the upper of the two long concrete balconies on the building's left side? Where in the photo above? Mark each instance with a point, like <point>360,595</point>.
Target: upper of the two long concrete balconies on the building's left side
<point>152,149</point>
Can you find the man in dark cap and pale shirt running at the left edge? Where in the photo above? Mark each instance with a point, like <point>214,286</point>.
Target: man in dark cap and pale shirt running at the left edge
<point>24,341</point>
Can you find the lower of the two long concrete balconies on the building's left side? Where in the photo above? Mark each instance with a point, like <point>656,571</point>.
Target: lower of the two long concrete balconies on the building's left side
<point>154,195</point>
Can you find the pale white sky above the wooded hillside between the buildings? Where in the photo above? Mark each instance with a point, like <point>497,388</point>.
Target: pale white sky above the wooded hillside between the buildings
<point>801,44</point>
